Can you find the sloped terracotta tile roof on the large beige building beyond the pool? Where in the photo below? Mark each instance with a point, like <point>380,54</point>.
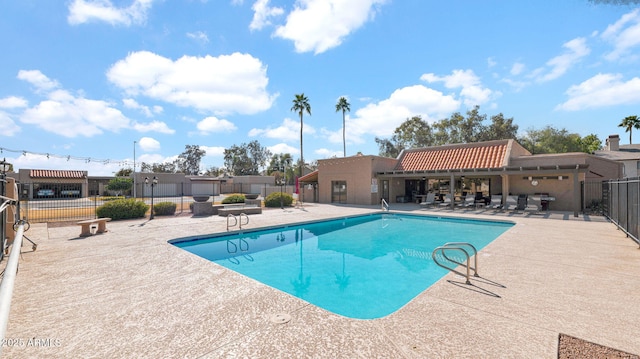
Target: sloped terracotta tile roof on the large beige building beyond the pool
<point>491,154</point>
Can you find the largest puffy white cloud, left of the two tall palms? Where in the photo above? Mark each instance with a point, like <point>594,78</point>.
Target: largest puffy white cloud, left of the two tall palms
<point>222,85</point>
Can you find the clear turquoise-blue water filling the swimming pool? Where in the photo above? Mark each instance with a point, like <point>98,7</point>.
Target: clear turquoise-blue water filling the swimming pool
<point>361,267</point>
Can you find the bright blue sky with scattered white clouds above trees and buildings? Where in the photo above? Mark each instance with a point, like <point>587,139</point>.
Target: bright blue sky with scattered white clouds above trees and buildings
<point>88,83</point>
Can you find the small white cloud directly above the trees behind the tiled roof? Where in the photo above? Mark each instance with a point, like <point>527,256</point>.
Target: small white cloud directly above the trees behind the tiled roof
<point>471,89</point>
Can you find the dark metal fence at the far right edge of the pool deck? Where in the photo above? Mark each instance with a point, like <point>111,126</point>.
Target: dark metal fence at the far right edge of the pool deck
<point>621,199</point>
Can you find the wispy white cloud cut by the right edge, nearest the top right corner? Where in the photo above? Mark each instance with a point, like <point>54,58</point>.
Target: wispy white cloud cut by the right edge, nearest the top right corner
<point>624,35</point>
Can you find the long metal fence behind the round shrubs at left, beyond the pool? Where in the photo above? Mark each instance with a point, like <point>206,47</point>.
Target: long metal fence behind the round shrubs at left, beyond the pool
<point>59,203</point>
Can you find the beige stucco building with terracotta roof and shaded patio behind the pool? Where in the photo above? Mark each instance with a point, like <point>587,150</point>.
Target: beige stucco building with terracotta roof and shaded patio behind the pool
<point>486,168</point>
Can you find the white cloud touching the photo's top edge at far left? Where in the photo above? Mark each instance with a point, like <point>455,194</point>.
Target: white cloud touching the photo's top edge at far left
<point>83,11</point>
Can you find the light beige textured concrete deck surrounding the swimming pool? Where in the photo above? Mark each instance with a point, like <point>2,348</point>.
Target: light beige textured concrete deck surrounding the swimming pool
<point>128,293</point>
